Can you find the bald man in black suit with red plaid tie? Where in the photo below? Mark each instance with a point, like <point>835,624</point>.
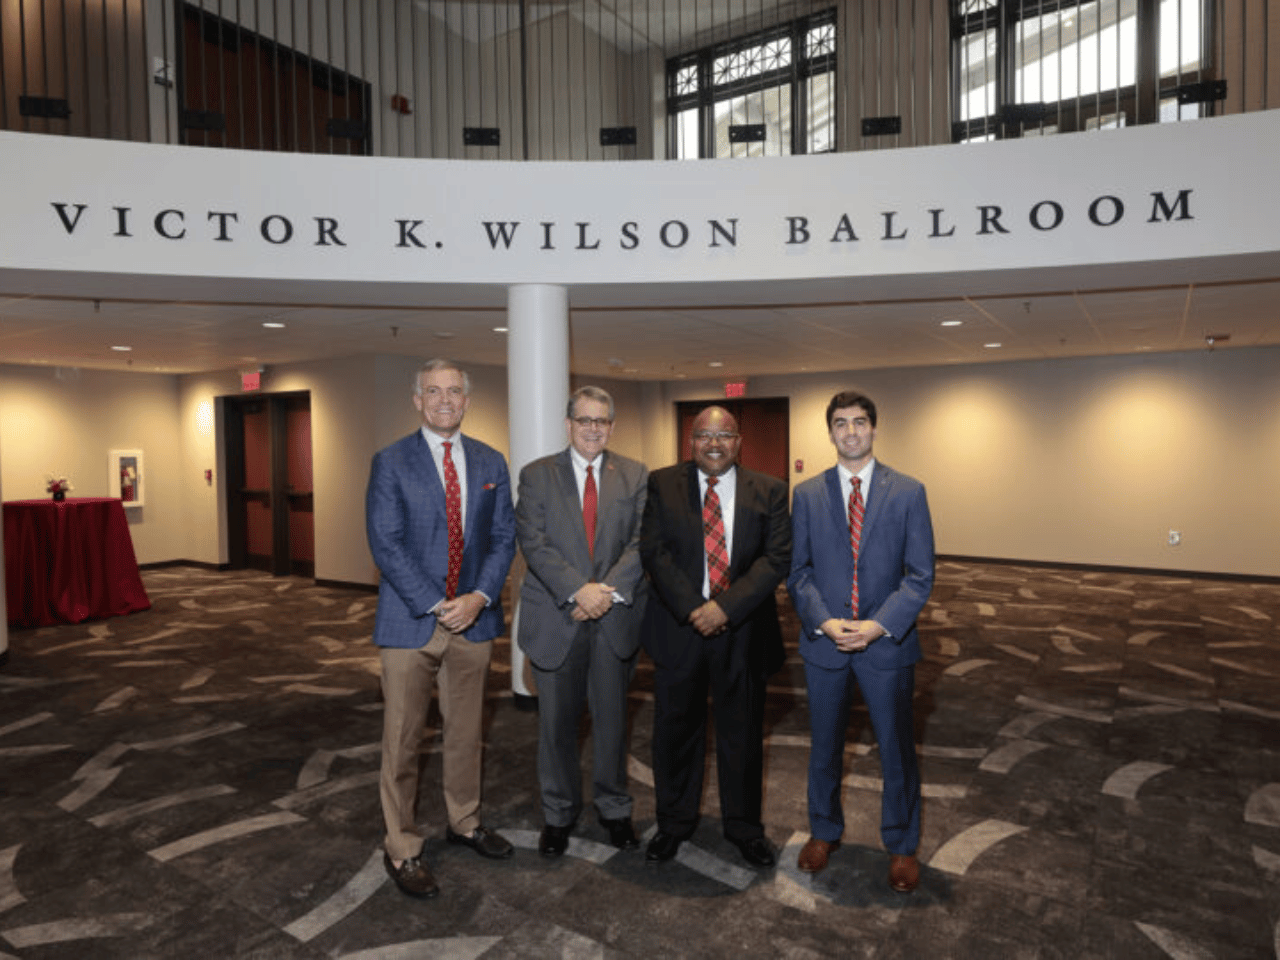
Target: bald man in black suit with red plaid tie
<point>716,542</point>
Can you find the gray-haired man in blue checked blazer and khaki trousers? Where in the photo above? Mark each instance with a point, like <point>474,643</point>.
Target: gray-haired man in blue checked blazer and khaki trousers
<point>444,534</point>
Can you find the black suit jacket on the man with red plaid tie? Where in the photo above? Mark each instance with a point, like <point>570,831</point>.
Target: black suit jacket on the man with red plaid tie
<point>671,550</point>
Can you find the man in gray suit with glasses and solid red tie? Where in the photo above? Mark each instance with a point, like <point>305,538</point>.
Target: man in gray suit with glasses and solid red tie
<point>578,523</point>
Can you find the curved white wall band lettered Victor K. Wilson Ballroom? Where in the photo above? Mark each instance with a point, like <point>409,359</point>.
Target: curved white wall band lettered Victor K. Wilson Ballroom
<point>1155,196</point>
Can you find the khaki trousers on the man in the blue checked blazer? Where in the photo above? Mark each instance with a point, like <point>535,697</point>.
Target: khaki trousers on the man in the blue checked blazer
<point>459,669</point>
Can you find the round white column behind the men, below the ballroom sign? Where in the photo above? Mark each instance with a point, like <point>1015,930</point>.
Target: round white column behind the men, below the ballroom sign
<point>537,394</point>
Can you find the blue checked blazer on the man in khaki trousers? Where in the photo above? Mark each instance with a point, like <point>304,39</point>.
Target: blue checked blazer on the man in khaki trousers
<point>410,541</point>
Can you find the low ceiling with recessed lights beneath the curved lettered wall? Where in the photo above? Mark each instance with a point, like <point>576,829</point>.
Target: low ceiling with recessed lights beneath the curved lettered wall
<point>730,335</point>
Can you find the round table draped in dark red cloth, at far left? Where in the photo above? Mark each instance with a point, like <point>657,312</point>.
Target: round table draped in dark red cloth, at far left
<point>70,563</point>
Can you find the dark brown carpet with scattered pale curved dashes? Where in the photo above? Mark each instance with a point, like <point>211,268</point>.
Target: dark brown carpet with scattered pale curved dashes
<point>1101,758</point>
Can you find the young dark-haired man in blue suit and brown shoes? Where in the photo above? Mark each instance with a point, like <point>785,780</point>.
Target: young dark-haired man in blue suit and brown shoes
<point>862,570</point>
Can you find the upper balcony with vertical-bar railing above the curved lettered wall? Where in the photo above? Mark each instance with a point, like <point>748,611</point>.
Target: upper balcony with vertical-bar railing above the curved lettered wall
<point>624,80</point>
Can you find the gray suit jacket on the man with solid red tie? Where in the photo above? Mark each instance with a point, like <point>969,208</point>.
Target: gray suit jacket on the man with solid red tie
<point>554,541</point>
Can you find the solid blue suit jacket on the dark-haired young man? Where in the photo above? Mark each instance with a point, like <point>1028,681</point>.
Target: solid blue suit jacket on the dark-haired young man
<point>895,565</point>
